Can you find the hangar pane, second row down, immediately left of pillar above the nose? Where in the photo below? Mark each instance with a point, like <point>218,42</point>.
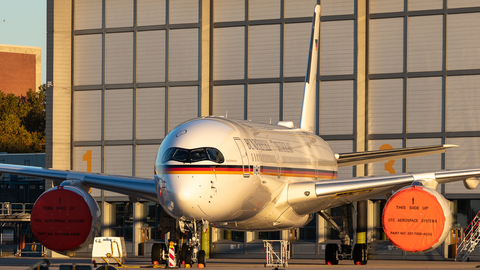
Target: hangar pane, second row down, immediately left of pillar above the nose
<point>183,62</point>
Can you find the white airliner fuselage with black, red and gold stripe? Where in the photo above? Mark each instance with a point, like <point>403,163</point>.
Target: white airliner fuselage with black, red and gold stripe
<point>247,189</point>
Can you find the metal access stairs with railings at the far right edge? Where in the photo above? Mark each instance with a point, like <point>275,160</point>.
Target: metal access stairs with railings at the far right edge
<point>469,240</point>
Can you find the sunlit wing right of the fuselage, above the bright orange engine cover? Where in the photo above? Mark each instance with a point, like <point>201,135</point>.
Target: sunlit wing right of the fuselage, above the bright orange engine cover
<point>332,193</point>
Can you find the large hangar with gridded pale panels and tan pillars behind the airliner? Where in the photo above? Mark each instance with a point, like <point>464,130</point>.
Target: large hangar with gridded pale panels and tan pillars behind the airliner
<point>391,73</point>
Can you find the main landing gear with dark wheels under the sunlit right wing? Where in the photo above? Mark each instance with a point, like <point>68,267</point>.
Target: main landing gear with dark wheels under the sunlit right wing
<point>332,254</point>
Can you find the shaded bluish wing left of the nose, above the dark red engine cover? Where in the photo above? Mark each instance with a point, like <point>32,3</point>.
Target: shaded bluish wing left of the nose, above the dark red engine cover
<point>142,188</point>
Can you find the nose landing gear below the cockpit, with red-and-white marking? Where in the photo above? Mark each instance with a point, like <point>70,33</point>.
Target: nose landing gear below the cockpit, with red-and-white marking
<point>178,248</point>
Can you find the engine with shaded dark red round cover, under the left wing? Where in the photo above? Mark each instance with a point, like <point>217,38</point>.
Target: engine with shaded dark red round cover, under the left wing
<point>65,218</point>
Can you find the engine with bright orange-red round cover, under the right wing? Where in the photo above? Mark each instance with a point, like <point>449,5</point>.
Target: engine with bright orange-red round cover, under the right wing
<point>417,219</point>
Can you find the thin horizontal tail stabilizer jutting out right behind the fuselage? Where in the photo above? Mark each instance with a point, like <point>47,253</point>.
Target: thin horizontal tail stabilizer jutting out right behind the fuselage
<point>356,158</point>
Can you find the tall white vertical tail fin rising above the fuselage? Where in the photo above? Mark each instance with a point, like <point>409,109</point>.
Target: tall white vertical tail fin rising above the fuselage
<point>307,117</point>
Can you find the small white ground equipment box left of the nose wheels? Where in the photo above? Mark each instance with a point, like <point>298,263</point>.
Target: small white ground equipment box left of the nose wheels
<point>108,249</point>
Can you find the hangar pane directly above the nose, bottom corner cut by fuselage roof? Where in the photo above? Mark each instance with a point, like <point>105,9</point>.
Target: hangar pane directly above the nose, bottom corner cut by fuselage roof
<point>183,105</point>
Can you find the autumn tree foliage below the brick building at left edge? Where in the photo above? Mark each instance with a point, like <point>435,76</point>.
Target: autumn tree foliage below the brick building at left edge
<point>22,122</point>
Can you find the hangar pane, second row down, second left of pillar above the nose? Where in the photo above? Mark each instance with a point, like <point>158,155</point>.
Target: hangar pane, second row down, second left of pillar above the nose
<point>151,56</point>
